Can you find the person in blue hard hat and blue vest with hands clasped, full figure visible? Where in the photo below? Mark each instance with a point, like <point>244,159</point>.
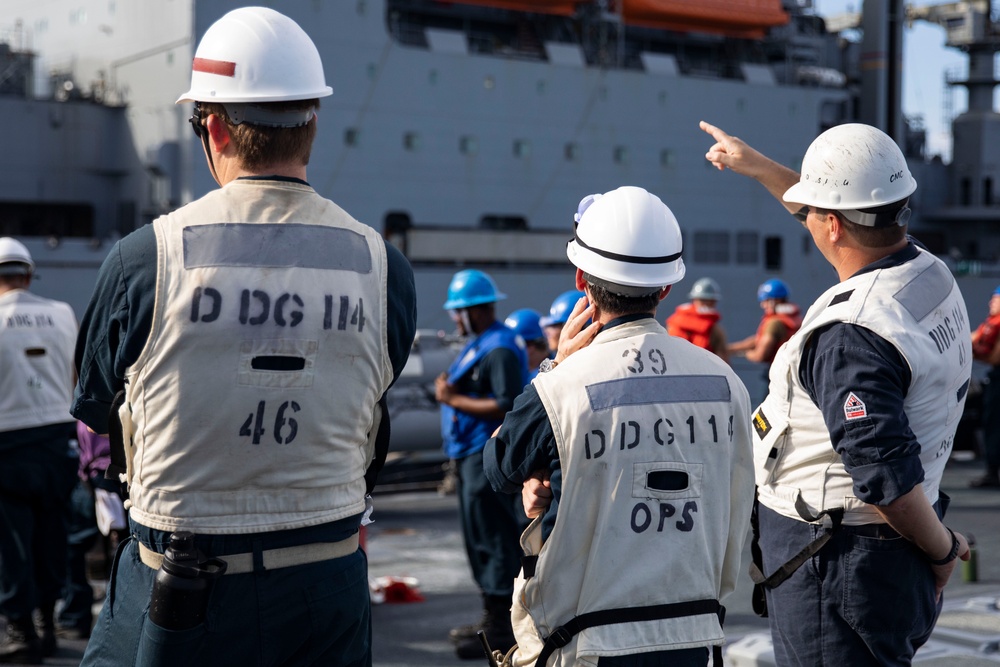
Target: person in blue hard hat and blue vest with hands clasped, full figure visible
<point>475,394</point>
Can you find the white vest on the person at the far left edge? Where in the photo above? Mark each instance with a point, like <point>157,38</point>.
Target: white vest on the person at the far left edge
<point>37,338</point>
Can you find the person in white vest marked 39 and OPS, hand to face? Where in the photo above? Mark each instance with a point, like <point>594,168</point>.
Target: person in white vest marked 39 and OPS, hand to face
<point>614,444</point>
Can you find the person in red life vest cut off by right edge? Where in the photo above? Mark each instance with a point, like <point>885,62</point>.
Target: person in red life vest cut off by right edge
<point>986,348</point>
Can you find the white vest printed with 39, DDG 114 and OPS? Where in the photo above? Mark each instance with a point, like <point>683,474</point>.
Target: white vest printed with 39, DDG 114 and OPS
<point>654,445</point>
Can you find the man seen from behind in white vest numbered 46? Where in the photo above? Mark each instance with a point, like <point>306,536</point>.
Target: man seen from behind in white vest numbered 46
<point>253,335</point>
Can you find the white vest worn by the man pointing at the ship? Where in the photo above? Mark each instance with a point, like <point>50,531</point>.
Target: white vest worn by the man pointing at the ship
<point>917,307</point>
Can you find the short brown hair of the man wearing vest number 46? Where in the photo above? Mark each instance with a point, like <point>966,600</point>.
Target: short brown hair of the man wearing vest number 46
<point>260,146</point>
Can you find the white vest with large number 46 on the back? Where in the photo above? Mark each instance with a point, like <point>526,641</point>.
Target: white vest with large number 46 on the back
<point>251,404</point>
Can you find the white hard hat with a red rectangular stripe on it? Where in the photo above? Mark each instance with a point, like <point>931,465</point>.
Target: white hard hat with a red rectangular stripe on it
<point>255,54</point>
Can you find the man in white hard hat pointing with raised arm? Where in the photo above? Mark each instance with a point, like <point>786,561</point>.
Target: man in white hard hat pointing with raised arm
<point>861,413</point>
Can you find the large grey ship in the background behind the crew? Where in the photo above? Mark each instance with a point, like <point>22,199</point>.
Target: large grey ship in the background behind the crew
<point>467,131</point>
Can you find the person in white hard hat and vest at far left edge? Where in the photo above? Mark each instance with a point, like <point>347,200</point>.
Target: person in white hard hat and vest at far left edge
<point>37,337</point>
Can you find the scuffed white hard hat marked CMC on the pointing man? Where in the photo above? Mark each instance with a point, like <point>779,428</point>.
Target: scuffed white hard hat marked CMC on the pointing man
<point>853,166</point>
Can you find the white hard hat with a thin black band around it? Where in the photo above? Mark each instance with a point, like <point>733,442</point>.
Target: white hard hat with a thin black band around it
<point>629,238</point>
